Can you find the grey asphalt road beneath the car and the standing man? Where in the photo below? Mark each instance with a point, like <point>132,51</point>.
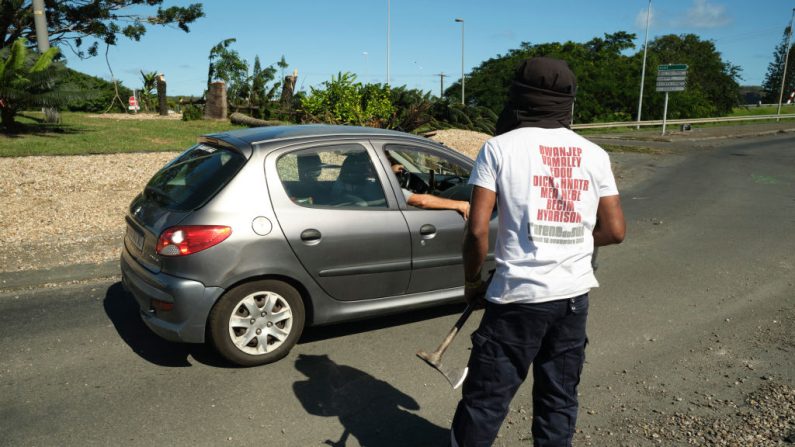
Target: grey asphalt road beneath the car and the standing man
<point>709,253</point>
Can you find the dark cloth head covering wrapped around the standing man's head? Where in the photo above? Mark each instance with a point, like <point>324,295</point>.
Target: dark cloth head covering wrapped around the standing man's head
<point>541,95</point>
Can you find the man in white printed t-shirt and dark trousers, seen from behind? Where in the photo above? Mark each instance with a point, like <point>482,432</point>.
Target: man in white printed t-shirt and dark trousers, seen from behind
<point>557,199</point>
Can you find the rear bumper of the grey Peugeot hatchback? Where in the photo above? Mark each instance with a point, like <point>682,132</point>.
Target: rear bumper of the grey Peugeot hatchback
<point>191,301</point>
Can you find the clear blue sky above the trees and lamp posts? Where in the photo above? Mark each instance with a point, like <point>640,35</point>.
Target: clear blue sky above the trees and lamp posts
<point>320,38</point>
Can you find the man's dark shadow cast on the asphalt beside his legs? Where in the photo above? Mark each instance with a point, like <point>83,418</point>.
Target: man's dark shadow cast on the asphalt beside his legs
<point>370,410</point>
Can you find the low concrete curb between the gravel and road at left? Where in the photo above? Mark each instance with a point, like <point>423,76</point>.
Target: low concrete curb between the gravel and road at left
<point>68,273</point>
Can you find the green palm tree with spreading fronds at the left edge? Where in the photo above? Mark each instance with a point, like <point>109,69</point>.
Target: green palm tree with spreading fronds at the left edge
<point>27,80</point>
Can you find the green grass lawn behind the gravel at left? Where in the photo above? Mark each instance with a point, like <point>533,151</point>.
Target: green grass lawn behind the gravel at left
<point>81,133</point>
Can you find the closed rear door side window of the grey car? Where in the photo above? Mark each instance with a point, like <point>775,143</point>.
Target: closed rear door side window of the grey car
<point>331,176</point>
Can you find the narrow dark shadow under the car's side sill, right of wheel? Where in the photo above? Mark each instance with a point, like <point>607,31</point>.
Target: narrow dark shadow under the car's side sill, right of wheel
<point>312,334</point>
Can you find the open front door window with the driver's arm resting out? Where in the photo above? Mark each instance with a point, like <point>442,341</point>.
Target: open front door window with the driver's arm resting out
<point>425,172</point>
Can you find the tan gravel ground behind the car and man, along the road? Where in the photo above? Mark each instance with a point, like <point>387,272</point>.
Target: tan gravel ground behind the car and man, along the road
<point>66,210</point>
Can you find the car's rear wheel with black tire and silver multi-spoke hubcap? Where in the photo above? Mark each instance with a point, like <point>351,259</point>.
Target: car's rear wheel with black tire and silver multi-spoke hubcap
<point>257,322</point>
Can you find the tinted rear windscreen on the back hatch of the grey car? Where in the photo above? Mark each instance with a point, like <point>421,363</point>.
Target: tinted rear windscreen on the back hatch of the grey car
<point>193,178</point>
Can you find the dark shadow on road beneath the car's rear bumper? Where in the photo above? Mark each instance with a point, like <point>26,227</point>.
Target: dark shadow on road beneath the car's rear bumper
<point>122,310</point>
